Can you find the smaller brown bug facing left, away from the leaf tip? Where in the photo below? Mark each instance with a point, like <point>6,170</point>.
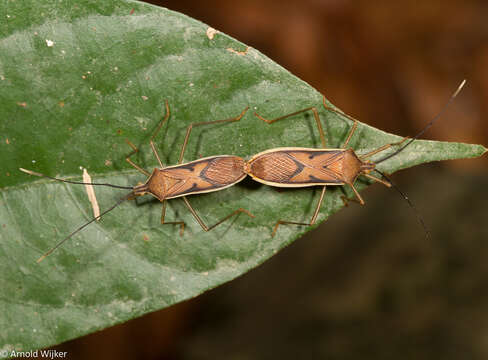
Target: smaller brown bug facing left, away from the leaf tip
<point>196,177</point>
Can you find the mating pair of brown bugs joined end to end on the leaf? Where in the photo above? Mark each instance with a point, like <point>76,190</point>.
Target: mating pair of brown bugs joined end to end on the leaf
<point>280,167</point>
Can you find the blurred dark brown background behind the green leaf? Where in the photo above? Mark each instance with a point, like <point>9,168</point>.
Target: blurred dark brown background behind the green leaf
<point>366,284</point>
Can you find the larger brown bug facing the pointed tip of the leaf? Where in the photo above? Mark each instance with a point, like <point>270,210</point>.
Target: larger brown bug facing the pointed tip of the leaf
<point>295,167</point>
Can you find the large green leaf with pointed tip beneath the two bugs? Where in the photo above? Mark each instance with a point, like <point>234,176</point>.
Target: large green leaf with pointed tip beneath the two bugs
<point>76,80</point>
